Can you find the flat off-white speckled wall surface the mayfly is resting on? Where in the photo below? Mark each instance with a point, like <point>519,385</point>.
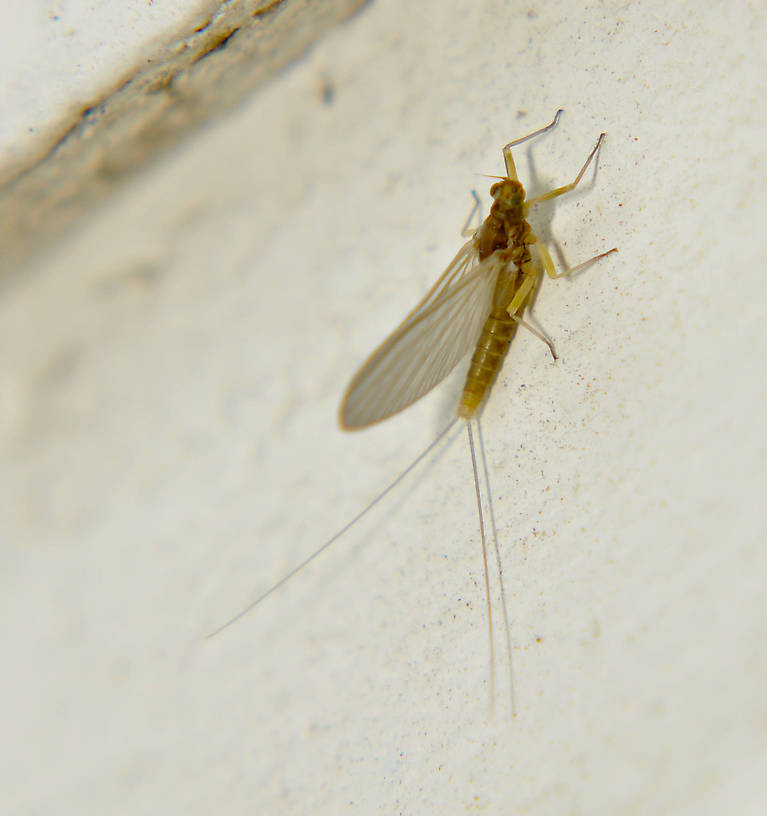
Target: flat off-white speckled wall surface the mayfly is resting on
<point>169,378</point>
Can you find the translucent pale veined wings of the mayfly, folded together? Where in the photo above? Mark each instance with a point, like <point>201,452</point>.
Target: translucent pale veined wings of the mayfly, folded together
<point>427,345</point>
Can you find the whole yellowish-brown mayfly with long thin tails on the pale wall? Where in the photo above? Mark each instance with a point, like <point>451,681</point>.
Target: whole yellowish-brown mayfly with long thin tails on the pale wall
<point>477,303</point>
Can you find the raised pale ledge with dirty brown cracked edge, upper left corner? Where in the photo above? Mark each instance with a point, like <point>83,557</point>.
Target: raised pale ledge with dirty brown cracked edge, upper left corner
<point>92,93</point>
